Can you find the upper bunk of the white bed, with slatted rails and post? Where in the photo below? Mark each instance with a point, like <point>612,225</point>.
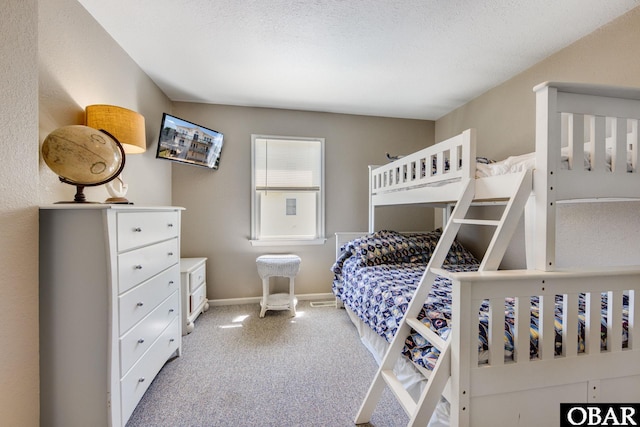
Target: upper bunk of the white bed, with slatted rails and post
<point>565,112</point>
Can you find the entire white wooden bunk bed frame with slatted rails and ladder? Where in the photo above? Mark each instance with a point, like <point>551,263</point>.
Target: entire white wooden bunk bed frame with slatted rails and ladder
<point>586,139</point>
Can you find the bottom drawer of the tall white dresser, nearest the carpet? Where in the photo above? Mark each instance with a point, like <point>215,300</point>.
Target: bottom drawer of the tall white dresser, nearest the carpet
<point>137,380</point>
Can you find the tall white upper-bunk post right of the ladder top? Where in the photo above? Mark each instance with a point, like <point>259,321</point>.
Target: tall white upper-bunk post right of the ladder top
<point>547,143</point>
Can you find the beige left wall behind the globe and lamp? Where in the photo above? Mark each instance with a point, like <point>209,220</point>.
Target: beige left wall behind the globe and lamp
<point>83,65</point>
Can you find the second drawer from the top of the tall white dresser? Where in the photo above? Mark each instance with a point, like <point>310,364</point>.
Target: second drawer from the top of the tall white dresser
<point>141,264</point>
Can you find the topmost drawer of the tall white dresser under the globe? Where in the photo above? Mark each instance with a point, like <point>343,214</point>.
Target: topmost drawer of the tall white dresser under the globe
<point>137,229</point>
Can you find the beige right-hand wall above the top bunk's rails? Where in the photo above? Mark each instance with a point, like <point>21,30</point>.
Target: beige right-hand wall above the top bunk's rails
<point>505,115</point>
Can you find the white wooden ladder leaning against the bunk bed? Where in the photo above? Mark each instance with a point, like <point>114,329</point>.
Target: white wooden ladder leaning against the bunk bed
<point>420,411</point>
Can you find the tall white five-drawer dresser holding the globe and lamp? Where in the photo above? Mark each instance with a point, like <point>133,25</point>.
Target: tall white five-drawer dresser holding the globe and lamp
<point>110,314</point>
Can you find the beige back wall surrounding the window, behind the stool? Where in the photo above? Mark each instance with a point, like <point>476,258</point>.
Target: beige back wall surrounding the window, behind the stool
<point>217,220</point>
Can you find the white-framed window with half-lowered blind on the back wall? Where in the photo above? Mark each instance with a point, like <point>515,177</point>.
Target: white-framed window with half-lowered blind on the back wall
<point>287,180</point>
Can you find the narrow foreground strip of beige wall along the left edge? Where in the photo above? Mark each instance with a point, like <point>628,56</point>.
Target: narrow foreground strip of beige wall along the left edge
<point>19,214</point>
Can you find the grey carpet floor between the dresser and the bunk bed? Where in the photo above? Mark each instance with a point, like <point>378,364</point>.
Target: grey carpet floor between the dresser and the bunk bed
<point>238,369</point>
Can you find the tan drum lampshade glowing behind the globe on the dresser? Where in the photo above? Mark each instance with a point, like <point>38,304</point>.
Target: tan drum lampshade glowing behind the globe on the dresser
<point>126,125</point>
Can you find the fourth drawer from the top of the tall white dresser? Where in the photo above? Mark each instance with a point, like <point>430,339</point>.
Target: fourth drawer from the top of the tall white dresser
<point>137,341</point>
